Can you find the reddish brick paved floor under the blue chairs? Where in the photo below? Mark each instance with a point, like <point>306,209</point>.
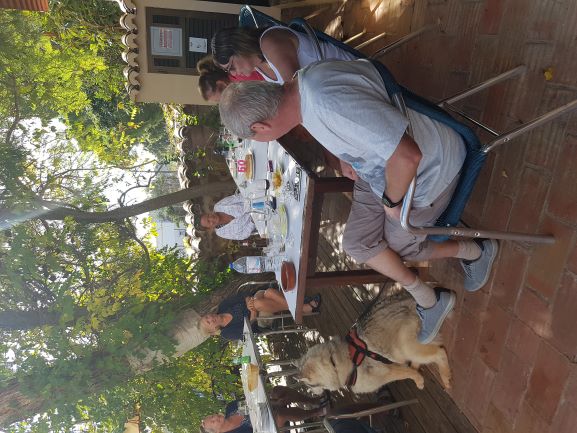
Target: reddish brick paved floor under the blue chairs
<point>513,345</point>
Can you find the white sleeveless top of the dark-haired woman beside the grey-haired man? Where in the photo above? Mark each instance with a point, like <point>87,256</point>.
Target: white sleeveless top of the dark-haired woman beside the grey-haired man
<point>306,53</point>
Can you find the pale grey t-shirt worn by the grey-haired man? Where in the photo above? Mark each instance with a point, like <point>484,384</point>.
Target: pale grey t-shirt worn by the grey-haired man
<point>345,106</point>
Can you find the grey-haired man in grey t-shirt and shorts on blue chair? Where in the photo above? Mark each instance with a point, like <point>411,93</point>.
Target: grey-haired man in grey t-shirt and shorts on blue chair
<point>345,106</point>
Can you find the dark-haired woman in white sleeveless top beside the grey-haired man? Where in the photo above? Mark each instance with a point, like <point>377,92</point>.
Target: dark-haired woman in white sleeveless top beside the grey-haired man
<point>275,52</point>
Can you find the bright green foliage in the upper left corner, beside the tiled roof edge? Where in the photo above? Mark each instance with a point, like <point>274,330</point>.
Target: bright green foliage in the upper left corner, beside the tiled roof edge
<point>67,64</point>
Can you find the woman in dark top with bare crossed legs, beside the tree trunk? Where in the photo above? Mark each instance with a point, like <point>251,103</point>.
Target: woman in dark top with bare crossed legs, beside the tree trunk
<point>228,321</point>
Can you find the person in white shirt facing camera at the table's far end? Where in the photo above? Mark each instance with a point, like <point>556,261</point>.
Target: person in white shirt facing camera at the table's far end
<point>229,220</point>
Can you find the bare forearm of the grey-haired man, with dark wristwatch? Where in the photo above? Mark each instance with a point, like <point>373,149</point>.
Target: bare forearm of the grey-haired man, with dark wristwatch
<point>401,168</point>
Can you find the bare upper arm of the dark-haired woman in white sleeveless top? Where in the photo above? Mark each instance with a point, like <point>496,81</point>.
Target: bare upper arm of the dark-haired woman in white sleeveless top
<point>279,47</point>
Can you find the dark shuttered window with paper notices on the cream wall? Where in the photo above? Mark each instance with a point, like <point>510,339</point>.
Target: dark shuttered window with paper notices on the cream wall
<point>178,39</point>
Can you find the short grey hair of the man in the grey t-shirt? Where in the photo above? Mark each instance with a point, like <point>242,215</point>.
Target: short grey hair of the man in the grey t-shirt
<point>248,102</point>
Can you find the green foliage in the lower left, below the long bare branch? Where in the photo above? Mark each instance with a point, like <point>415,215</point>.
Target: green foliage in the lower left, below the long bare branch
<point>79,364</point>
